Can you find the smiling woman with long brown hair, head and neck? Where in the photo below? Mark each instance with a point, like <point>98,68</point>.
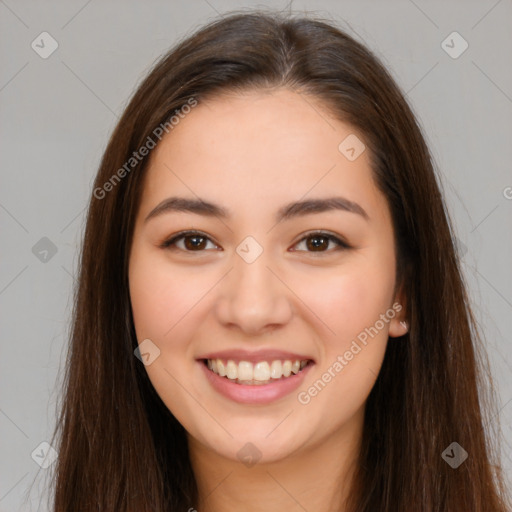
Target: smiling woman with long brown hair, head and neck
<point>270,312</point>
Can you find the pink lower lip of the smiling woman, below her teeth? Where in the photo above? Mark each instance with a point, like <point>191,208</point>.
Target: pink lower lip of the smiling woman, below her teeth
<point>259,393</point>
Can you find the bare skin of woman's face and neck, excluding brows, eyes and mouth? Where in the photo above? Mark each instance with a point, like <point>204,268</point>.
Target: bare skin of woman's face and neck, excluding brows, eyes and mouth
<point>252,154</point>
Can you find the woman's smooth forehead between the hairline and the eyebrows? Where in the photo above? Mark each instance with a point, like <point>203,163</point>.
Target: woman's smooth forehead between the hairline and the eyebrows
<point>257,149</point>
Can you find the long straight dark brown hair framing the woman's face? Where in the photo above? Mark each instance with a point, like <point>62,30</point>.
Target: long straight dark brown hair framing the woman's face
<point>121,449</point>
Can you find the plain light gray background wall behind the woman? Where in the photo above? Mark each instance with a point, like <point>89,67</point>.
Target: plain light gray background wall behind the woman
<point>57,114</point>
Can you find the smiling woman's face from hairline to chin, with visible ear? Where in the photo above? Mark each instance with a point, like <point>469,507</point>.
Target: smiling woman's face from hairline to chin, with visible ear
<point>261,281</point>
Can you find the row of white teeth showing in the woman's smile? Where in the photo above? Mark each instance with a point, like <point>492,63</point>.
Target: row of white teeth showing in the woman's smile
<point>261,372</point>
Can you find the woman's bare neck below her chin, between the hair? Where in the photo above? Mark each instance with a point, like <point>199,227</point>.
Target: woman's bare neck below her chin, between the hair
<point>315,478</point>
